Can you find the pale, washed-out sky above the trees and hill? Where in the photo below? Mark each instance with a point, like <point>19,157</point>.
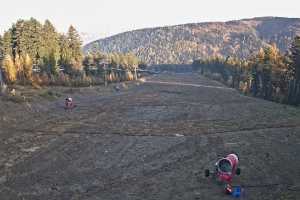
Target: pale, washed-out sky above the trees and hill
<point>101,18</point>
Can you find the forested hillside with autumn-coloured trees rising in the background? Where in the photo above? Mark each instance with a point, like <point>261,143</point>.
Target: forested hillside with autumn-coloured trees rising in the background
<point>185,43</point>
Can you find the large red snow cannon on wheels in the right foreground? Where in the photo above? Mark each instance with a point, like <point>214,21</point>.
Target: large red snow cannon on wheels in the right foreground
<point>225,168</point>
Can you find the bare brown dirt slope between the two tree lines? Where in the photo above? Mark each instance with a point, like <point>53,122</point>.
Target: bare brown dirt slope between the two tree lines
<point>151,140</point>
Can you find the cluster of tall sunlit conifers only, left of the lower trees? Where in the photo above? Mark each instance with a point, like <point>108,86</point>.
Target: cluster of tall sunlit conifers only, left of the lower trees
<point>30,44</point>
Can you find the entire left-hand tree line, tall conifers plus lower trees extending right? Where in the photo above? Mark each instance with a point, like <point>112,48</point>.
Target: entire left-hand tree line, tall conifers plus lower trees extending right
<point>36,53</point>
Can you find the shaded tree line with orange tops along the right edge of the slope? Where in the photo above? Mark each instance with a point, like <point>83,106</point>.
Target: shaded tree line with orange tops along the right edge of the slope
<point>268,74</point>
